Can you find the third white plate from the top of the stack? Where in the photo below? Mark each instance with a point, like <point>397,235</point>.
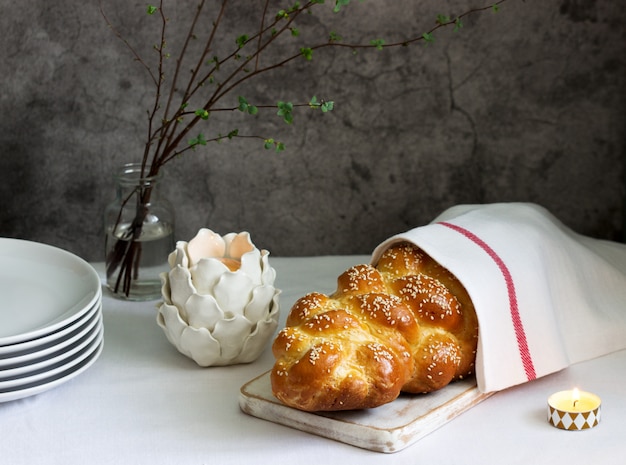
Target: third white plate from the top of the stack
<point>58,355</point>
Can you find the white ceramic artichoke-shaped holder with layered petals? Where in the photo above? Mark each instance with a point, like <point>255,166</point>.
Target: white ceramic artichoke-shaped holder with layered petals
<point>211,314</point>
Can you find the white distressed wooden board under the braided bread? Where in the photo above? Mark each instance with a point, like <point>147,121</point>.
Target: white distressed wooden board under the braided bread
<point>388,428</point>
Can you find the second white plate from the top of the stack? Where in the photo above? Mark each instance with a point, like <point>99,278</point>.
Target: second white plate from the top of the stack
<point>28,351</point>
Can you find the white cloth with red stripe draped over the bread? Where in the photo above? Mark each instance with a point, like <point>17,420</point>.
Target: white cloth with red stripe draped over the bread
<point>545,296</point>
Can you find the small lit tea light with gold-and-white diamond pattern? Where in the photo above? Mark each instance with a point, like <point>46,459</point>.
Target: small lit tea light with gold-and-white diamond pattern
<point>574,410</point>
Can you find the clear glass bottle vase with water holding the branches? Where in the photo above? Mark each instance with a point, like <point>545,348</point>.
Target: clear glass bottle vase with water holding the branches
<point>139,234</point>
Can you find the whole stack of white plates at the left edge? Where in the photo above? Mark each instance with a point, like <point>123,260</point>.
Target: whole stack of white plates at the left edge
<point>50,317</point>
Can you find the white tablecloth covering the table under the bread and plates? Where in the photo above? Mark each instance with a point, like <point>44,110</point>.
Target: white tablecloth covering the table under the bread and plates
<point>143,402</point>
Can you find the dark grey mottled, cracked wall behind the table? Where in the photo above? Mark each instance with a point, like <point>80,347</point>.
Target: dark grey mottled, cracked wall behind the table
<point>528,104</point>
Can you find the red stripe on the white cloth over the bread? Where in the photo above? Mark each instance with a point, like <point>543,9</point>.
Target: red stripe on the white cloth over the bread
<point>520,333</point>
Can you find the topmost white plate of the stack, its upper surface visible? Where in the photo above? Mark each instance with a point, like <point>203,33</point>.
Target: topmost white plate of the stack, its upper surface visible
<point>43,288</point>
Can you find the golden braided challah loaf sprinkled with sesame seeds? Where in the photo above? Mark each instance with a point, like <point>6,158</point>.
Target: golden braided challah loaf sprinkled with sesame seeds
<point>406,324</point>
